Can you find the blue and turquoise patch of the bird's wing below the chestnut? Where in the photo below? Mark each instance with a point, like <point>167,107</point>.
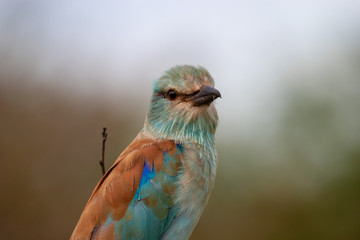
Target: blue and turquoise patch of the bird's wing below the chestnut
<point>152,209</point>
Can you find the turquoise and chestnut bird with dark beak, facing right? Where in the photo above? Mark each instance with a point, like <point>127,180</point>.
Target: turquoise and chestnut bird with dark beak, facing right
<point>160,184</point>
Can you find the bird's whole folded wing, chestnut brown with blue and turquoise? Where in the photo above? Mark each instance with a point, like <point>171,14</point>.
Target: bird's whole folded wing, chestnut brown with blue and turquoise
<point>141,183</point>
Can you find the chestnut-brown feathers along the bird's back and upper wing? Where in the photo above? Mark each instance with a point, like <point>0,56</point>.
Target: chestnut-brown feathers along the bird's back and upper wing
<point>118,186</point>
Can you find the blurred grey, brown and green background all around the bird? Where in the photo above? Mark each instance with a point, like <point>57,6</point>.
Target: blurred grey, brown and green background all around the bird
<point>289,135</point>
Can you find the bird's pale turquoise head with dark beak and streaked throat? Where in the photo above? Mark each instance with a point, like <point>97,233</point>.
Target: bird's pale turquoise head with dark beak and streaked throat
<point>182,106</point>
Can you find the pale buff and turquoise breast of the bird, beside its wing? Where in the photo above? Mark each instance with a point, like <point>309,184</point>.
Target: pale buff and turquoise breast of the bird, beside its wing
<point>194,186</point>
